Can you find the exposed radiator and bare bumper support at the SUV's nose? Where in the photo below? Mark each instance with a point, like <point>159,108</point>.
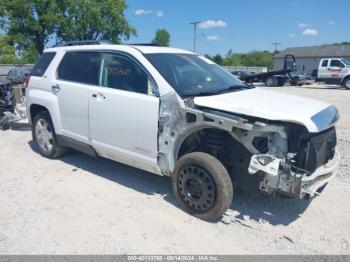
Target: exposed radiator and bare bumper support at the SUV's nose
<point>303,173</point>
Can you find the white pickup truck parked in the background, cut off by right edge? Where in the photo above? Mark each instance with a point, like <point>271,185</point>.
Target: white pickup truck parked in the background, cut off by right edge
<point>334,71</point>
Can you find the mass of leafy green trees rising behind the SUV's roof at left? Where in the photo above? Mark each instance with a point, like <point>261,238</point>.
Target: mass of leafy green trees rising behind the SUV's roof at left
<point>34,23</point>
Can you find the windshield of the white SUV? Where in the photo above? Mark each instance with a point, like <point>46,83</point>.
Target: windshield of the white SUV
<point>192,75</point>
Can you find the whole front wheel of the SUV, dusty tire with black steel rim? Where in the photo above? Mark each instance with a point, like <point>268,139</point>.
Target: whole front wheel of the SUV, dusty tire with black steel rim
<point>202,186</point>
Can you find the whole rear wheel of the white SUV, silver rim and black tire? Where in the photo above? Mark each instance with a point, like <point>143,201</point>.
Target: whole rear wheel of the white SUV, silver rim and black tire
<point>45,137</point>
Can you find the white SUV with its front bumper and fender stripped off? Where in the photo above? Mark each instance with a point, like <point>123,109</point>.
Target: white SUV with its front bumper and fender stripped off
<point>172,112</point>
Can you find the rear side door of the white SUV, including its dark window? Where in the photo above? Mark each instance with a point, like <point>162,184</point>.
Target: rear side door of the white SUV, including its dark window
<point>77,75</point>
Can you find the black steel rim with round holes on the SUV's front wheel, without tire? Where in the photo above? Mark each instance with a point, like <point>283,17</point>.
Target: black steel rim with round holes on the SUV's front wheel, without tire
<point>197,188</point>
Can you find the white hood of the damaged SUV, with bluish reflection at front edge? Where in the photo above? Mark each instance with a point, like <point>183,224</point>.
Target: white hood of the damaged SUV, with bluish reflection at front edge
<point>273,105</point>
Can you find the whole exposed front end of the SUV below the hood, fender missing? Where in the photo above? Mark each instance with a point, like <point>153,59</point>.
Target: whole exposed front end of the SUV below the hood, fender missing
<point>284,157</point>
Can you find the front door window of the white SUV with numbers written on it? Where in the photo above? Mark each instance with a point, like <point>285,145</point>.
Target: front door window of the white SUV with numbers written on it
<point>121,73</point>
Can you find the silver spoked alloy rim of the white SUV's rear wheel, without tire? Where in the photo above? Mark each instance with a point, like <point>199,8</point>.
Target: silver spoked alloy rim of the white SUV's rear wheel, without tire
<point>44,135</point>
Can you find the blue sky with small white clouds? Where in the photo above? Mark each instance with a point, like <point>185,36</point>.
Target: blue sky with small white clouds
<point>242,26</point>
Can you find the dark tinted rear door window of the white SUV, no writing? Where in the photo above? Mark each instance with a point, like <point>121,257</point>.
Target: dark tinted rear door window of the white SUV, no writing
<point>81,67</point>
